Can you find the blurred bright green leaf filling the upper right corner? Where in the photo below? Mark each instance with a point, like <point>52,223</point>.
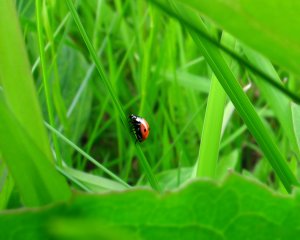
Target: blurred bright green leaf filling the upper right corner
<point>274,24</point>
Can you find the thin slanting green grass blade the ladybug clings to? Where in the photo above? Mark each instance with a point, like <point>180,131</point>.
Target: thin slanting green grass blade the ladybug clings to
<point>143,161</point>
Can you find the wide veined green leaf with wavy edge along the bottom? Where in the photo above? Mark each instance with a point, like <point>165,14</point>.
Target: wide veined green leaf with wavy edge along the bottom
<point>239,208</point>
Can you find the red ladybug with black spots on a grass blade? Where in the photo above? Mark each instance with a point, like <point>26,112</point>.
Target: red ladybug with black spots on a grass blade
<point>140,127</point>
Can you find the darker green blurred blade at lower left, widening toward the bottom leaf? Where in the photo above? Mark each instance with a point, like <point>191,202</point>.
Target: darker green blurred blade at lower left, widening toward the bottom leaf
<point>36,178</point>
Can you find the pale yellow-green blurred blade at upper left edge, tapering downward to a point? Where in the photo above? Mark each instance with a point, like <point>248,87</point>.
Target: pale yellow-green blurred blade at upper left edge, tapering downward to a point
<point>16,79</point>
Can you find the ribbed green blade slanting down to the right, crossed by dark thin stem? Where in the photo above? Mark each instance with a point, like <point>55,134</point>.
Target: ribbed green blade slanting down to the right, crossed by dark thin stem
<point>238,97</point>
